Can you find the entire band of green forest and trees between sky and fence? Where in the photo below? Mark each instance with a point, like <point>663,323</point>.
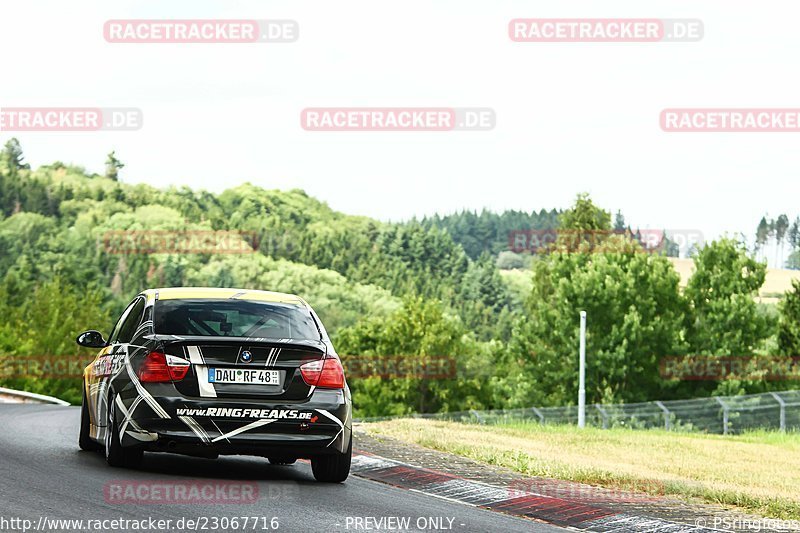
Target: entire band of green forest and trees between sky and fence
<point>443,286</point>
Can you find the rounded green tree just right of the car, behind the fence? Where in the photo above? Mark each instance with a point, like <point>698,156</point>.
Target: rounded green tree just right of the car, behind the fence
<point>420,335</point>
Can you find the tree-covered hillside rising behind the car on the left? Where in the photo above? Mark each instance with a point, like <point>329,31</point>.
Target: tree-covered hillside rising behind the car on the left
<point>55,221</point>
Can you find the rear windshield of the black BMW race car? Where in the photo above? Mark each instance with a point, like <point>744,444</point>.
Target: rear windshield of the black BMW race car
<point>239,318</point>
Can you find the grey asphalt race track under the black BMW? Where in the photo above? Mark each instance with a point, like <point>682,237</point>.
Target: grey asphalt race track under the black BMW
<point>44,476</point>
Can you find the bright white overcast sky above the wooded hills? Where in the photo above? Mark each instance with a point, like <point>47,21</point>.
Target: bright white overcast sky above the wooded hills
<point>571,117</point>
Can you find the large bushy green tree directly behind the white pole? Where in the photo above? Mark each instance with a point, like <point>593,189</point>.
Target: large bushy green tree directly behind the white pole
<point>635,317</point>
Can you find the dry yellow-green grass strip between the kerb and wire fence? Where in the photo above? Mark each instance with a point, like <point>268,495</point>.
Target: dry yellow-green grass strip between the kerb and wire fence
<point>757,472</point>
